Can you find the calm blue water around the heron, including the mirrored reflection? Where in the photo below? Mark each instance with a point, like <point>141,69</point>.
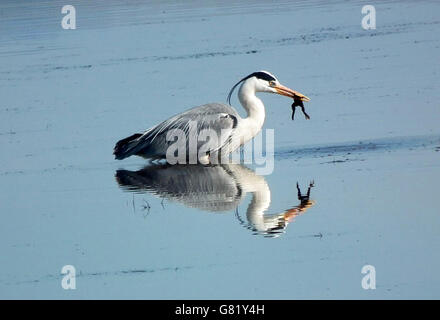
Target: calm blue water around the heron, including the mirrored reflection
<point>372,149</point>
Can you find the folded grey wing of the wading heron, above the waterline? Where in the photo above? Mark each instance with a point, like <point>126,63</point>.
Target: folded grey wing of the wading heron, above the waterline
<point>220,118</point>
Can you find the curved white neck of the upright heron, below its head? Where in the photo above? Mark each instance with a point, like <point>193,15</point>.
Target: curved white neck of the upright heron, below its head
<point>252,104</point>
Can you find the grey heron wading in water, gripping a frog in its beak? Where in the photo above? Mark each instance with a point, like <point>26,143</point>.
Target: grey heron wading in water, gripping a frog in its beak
<point>231,130</point>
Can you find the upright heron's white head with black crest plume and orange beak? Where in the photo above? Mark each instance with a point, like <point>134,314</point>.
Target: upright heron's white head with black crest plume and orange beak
<point>264,81</point>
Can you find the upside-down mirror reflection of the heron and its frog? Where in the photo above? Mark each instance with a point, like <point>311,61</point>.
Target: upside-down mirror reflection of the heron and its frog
<point>219,188</point>
